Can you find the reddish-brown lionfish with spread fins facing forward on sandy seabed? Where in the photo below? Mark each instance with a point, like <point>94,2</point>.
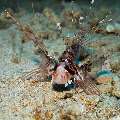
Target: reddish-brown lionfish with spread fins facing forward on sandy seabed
<point>66,72</point>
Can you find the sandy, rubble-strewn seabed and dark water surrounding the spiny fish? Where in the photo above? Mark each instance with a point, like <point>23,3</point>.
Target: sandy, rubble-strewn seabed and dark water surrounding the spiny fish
<point>57,23</point>
